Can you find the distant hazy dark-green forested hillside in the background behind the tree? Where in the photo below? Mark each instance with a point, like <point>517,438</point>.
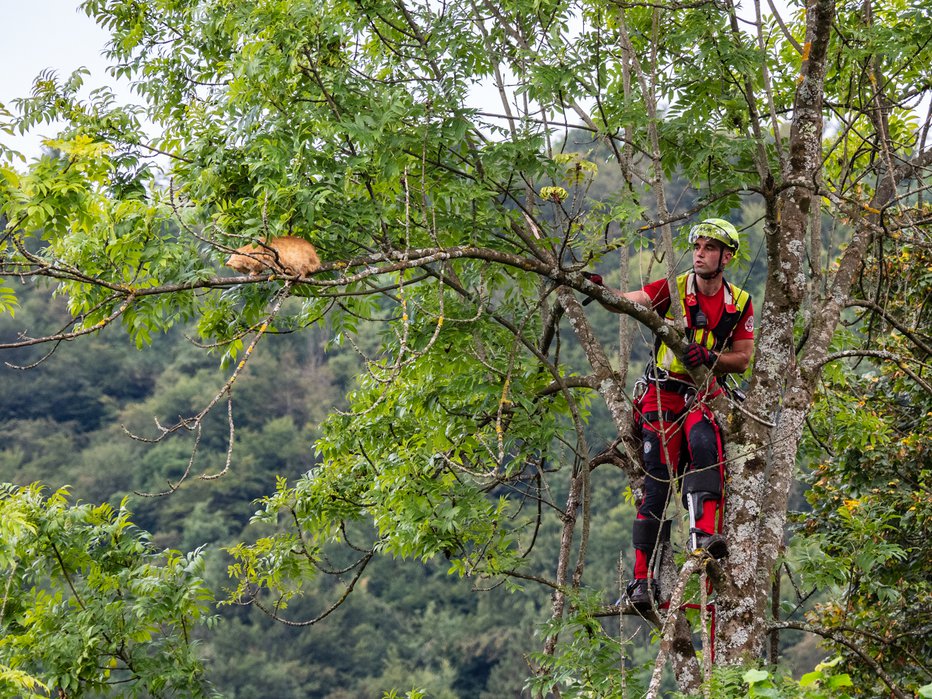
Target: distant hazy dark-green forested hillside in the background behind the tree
<point>67,422</point>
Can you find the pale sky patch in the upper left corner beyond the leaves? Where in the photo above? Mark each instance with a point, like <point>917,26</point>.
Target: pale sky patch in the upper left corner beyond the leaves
<point>40,34</point>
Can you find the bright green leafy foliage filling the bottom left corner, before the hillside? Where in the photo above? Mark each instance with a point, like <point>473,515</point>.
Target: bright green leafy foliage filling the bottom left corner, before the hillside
<point>90,604</point>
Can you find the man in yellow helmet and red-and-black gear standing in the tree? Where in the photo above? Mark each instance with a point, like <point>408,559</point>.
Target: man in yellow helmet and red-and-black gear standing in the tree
<point>719,321</point>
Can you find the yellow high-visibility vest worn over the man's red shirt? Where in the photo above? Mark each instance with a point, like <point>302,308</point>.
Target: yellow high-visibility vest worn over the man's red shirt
<point>717,338</point>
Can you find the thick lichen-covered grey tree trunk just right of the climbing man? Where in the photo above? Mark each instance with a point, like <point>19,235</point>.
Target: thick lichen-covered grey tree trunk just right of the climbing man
<point>762,456</point>
